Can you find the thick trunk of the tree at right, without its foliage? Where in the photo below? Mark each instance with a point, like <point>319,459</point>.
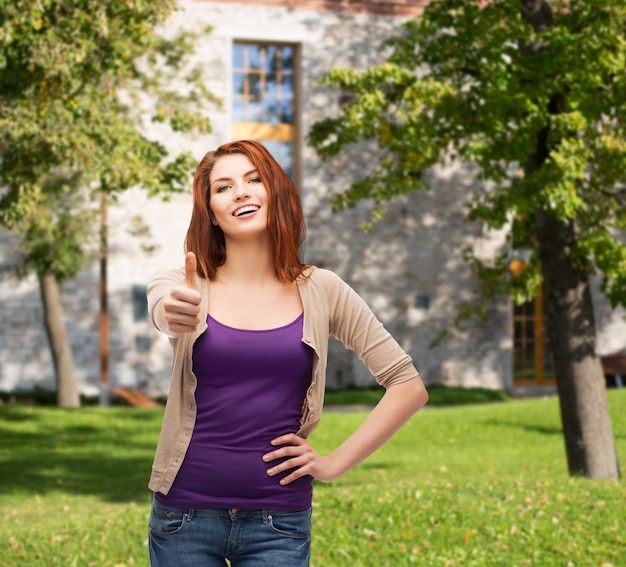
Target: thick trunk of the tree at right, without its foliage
<point>580,380</point>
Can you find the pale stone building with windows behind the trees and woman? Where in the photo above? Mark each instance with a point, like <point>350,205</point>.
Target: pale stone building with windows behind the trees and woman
<point>264,60</point>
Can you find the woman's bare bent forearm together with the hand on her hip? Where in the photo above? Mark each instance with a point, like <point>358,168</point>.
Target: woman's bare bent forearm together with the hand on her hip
<point>398,404</point>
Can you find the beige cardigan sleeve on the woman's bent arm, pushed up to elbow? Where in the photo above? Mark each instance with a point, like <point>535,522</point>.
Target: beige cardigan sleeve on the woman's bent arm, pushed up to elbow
<point>355,325</point>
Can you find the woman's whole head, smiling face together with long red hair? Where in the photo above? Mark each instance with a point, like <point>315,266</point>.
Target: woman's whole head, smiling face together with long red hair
<point>275,218</point>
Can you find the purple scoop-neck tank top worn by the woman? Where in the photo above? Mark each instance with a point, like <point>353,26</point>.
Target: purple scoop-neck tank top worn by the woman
<point>251,387</point>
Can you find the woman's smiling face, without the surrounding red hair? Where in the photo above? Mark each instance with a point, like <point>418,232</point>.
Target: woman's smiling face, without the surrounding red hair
<point>237,197</point>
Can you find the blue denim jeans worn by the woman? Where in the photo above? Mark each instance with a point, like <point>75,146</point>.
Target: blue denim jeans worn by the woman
<point>247,538</point>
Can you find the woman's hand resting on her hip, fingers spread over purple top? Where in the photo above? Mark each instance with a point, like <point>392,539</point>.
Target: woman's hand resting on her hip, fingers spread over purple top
<point>300,456</point>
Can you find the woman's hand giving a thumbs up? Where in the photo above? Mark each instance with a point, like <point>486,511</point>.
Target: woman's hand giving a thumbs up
<point>182,306</point>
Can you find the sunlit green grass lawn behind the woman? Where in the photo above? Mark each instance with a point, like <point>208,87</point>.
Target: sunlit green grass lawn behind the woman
<point>478,485</point>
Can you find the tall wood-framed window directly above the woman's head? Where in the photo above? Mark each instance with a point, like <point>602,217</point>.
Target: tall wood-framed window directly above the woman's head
<point>264,98</point>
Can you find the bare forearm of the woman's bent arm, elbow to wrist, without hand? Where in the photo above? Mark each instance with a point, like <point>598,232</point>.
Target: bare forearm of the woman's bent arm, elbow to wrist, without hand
<point>397,405</point>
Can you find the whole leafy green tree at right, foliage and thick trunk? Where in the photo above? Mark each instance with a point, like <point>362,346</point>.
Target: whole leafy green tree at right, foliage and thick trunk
<point>515,84</point>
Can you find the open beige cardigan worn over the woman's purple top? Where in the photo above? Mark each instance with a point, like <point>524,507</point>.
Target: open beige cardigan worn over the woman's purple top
<point>331,307</point>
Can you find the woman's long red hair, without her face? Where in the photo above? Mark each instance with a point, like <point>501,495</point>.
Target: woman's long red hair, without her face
<point>285,220</point>
